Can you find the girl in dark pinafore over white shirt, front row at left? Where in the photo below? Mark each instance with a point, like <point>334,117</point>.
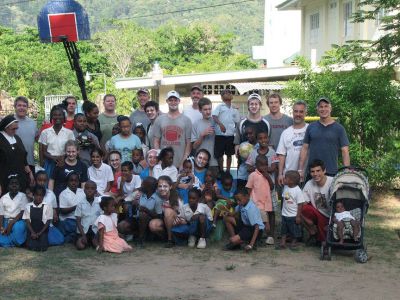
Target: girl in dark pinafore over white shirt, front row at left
<point>38,216</point>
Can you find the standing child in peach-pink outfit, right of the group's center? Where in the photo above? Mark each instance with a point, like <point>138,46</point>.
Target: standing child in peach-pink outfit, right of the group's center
<point>259,186</point>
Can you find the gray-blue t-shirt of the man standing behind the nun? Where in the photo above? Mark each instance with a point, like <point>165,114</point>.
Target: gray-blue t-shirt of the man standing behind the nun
<point>27,131</point>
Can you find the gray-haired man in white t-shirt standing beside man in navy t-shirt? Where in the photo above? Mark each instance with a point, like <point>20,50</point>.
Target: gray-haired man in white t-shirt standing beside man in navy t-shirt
<point>291,141</point>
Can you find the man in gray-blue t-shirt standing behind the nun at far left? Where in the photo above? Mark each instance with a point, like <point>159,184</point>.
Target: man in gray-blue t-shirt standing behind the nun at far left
<point>27,129</point>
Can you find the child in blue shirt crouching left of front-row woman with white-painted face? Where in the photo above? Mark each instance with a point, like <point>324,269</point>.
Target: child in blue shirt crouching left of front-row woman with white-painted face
<point>150,206</point>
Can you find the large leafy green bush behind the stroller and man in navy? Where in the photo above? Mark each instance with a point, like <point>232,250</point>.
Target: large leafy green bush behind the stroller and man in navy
<point>367,104</point>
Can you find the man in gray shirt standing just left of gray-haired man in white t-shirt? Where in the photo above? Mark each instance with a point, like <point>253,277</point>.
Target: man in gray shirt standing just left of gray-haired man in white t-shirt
<point>276,119</point>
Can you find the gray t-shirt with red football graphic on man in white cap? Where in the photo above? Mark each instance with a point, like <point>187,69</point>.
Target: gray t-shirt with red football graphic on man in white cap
<point>173,133</point>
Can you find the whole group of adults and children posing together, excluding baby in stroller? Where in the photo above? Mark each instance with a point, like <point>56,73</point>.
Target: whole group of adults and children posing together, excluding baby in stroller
<point>103,180</point>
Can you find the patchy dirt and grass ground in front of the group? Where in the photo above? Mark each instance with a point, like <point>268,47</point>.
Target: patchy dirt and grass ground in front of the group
<point>182,273</point>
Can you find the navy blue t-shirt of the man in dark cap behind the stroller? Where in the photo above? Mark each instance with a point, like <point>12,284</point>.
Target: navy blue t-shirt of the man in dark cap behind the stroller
<point>325,143</point>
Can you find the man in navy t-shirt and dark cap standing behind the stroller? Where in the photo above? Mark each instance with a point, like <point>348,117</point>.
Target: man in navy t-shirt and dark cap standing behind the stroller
<point>323,140</point>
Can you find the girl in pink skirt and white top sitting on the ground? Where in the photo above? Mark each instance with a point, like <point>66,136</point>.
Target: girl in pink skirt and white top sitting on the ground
<point>107,229</point>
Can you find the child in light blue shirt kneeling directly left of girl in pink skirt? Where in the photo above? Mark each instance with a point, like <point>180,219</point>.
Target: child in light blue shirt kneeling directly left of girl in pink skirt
<point>86,213</point>
